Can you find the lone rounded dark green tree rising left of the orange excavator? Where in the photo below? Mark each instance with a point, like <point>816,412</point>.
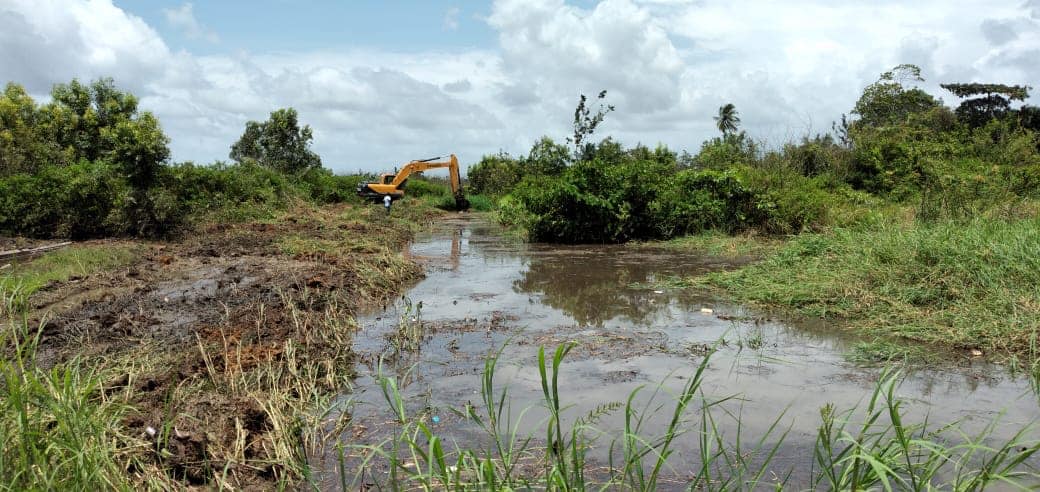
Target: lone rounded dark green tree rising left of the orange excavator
<point>279,144</point>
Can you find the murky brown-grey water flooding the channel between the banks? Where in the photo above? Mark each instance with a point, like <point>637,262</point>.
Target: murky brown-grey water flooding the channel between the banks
<point>484,292</point>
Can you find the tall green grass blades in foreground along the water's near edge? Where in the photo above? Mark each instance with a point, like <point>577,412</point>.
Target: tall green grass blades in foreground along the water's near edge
<point>871,449</point>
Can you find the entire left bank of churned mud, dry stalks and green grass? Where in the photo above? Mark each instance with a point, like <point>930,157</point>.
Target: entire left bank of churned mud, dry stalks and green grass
<point>213,360</point>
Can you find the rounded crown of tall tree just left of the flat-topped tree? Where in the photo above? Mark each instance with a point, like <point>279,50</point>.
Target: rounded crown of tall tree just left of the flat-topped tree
<point>889,102</point>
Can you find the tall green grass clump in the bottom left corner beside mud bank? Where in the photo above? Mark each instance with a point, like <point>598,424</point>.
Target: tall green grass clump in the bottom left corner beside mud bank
<point>59,430</point>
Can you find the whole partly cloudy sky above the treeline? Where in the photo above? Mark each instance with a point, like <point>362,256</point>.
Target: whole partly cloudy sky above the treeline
<point>385,83</point>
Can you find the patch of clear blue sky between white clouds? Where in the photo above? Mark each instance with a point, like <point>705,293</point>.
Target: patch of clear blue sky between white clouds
<point>283,25</point>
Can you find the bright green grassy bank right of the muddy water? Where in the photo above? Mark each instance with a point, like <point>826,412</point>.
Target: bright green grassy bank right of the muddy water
<point>966,284</point>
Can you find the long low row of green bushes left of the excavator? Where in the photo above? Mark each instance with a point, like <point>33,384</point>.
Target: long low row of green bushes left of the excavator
<point>97,200</point>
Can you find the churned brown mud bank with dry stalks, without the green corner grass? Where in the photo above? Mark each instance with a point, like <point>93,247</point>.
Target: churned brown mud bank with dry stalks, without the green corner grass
<point>224,343</point>
